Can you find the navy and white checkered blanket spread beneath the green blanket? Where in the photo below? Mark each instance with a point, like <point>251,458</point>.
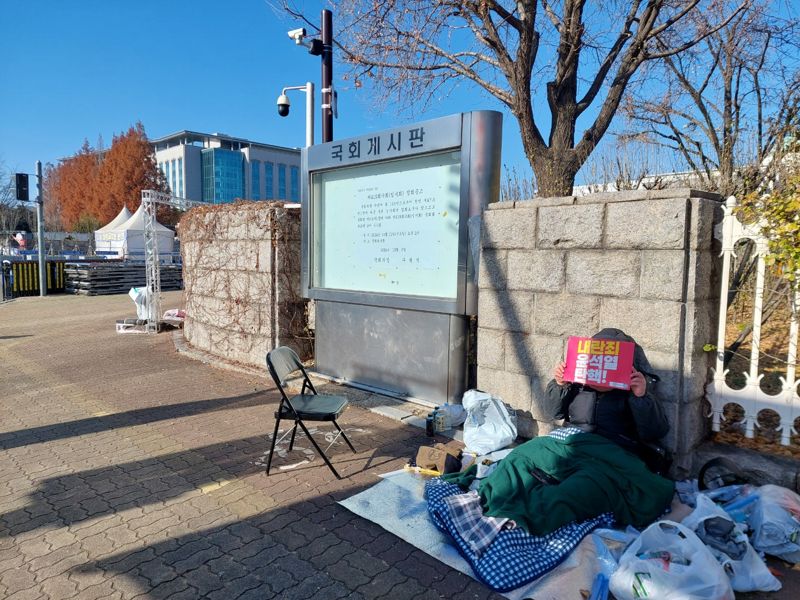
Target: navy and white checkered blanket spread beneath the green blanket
<point>515,557</point>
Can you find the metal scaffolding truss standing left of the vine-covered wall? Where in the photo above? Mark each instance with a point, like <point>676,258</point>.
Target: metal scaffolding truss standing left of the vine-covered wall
<point>150,201</point>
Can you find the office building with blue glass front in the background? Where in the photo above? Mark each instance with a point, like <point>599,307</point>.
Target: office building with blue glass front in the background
<point>218,168</point>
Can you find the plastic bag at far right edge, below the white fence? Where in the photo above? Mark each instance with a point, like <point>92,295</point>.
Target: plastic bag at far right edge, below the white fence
<point>775,524</point>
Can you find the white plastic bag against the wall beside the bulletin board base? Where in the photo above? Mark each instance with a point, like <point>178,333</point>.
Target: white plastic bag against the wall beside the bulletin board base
<point>488,426</point>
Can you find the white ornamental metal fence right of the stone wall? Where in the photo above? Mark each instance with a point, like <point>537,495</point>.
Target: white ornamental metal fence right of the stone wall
<point>752,398</point>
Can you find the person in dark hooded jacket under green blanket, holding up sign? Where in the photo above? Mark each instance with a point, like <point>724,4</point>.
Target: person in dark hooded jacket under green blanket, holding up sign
<point>574,474</point>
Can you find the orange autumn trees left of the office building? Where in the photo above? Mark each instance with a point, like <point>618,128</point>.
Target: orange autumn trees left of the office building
<point>94,186</point>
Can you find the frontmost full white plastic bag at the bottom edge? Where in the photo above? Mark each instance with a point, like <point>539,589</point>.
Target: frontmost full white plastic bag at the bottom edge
<point>669,562</point>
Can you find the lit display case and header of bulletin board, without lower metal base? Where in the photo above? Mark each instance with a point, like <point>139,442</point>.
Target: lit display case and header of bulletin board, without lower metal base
<point>385,215</point>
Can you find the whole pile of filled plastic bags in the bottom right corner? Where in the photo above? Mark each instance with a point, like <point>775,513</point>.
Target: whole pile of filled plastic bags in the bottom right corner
<point>717,550</point>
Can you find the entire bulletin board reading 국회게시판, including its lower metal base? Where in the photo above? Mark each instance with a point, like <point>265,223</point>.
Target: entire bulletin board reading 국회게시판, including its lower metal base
<point>390,225</point>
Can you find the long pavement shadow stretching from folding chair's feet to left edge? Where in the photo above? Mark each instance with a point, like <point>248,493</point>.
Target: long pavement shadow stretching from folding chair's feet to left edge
<point>68,500</point>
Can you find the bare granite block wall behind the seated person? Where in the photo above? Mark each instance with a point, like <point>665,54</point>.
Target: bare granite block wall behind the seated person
<point>644,262</point>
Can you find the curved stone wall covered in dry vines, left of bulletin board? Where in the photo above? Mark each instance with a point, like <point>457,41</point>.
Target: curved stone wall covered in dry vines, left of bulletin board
<point>241,271</point>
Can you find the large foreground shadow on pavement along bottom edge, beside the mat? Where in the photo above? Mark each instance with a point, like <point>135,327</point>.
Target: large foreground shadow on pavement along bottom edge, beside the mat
<point>314,549</point>
